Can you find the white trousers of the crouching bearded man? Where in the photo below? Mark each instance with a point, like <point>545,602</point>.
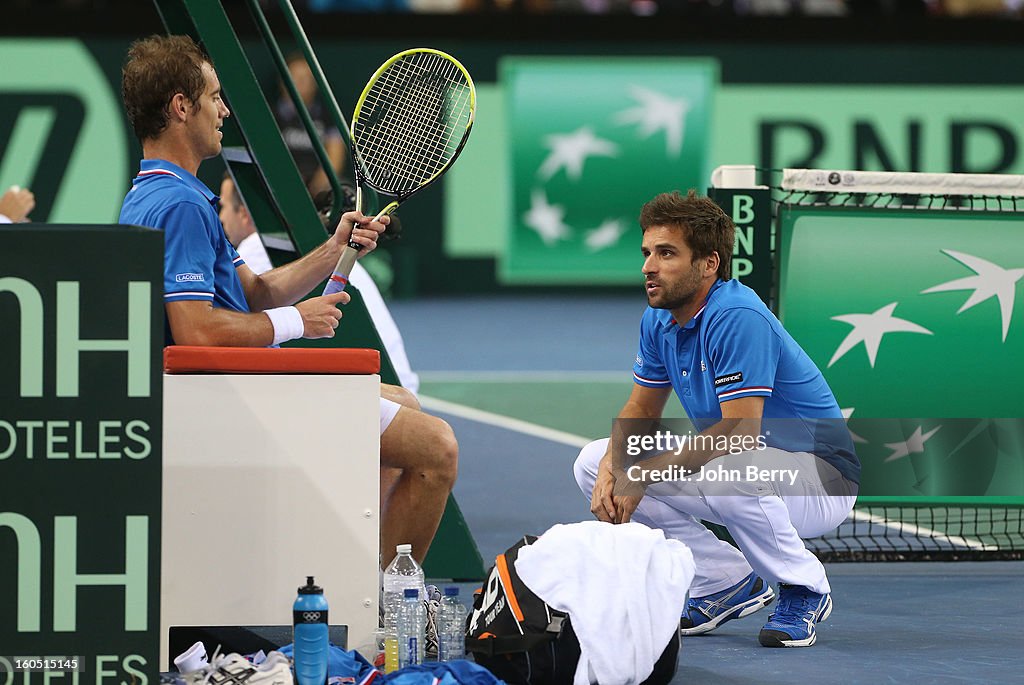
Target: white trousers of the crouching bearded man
<point>767,520</point>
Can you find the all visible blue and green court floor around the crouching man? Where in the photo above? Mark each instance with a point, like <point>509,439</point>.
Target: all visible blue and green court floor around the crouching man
<point>526,381</point>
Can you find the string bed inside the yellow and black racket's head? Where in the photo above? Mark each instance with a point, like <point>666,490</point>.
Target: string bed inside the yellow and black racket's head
<point>413,121</point>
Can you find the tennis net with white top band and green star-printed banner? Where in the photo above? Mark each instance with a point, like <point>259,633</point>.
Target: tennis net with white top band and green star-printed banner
<point>829,225</point>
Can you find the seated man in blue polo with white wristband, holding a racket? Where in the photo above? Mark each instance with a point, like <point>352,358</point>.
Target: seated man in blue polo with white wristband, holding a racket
<point>174,100</point>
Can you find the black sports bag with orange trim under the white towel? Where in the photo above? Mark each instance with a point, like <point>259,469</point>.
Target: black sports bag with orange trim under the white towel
<point>517,636</point>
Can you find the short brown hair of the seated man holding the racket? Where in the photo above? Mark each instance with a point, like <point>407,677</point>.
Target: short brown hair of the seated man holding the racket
<point>157,69</point>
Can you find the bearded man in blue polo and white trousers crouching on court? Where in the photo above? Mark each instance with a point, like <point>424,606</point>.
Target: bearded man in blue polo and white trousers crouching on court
<point>763,412</point>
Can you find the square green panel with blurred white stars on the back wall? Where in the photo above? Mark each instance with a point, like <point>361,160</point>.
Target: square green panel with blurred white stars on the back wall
<point>623,132</point>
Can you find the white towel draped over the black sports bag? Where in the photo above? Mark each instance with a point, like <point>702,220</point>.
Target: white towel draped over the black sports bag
<point>624,587</point>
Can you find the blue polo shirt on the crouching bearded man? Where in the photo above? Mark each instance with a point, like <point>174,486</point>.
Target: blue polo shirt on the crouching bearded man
<point>736,348</point>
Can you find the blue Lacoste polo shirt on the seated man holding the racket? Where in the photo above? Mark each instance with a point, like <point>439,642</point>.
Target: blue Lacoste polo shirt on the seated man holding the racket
<point>199,262</point>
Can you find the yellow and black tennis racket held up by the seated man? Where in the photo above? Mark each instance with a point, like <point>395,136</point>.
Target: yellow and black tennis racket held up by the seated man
<point>410,124</point>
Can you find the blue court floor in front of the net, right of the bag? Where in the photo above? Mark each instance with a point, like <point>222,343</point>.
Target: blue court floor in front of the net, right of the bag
<point>892,623</point>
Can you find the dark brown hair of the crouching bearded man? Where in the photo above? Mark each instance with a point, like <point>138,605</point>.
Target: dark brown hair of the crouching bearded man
<point>706,228</point>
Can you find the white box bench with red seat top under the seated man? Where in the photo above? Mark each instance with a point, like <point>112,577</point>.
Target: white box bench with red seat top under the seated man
<point>269,478</point>
